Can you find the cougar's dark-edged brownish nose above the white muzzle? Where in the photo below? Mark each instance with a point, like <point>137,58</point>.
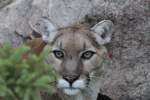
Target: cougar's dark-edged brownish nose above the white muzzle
<point>71,78</point>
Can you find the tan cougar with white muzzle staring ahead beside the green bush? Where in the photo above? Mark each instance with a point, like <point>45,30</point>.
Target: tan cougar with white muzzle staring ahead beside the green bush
<point>77,55</point>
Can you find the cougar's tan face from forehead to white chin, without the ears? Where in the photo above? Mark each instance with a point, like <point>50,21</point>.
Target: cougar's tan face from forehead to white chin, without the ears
<point>75,57</point>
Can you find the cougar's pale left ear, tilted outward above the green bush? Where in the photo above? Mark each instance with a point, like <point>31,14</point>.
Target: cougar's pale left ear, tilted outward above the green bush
<point>44,27</point>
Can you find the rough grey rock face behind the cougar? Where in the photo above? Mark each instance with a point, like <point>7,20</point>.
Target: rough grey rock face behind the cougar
<point>128,78</point>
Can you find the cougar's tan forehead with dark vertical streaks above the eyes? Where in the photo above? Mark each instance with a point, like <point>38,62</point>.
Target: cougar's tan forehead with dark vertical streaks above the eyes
<point>73,42</point>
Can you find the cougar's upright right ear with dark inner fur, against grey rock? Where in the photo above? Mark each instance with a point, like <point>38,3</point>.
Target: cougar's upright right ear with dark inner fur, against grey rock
<point>103,31</point>
